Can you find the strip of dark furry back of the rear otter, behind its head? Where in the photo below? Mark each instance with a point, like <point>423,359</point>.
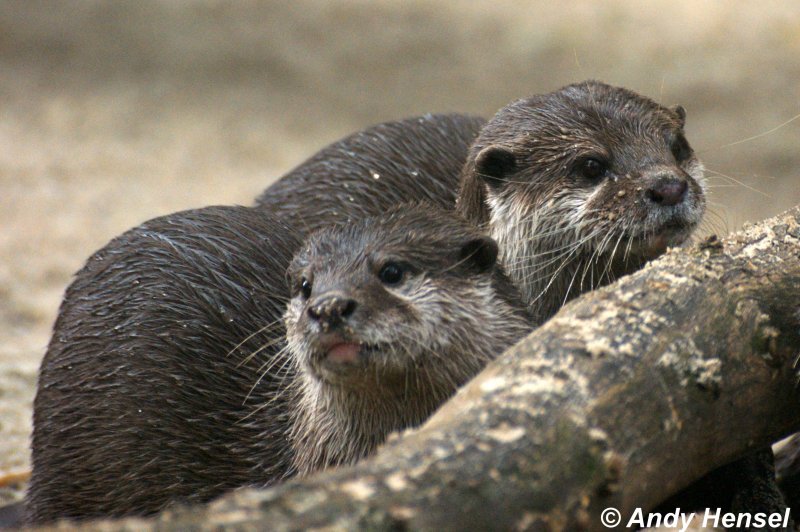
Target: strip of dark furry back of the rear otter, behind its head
<point>417,159</point>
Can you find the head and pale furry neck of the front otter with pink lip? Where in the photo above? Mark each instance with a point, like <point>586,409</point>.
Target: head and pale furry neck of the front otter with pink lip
<point>388,317</point>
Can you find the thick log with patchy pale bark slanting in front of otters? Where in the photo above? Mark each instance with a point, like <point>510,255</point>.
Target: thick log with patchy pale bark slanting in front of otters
<point>626,396</point>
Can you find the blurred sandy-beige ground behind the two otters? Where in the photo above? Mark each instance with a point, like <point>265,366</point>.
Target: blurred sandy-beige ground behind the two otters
<point>115,112</point>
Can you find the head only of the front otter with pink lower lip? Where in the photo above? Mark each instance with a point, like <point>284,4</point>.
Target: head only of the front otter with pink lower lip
<point>385,300</point>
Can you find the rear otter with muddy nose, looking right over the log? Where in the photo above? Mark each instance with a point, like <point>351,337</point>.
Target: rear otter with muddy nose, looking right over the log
<point>578,186</point>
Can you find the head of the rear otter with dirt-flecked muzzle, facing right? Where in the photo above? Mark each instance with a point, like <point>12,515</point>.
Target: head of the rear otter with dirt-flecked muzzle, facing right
<point>580,186</point>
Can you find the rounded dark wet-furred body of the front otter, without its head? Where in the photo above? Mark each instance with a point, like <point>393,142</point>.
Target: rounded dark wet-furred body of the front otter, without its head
<point>153,387</point>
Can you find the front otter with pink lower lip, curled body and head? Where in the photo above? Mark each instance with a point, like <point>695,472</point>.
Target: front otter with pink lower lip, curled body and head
<point>167,378</point>
